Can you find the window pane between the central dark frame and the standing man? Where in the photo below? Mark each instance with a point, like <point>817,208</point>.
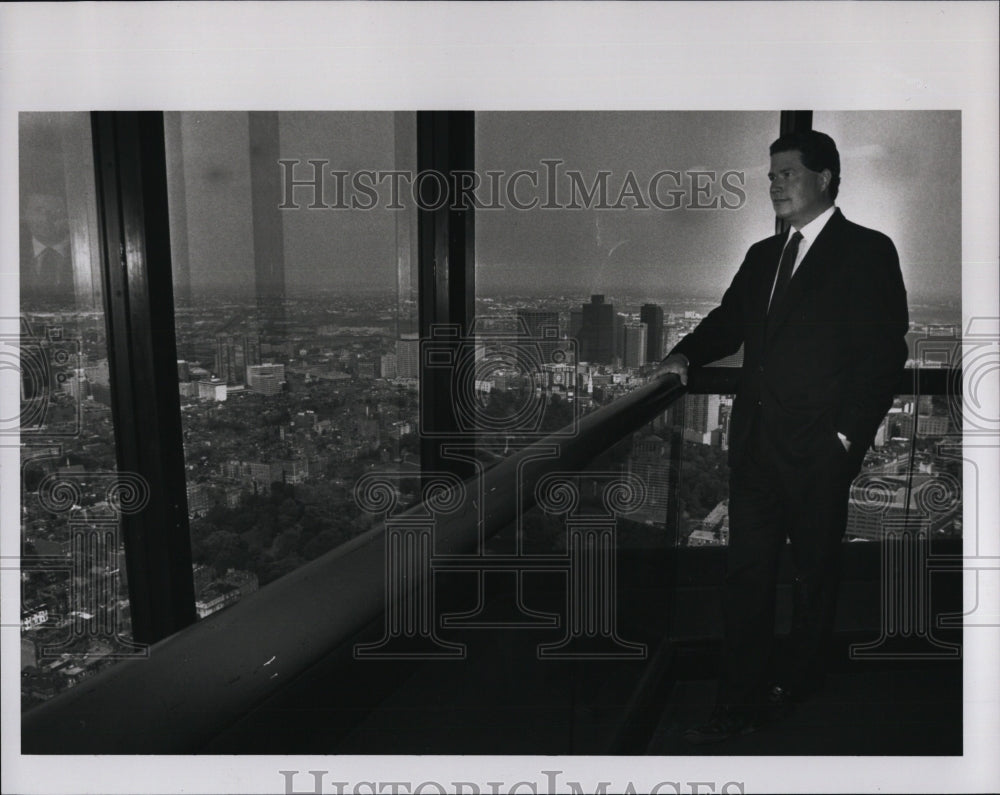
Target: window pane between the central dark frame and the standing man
<point>637,223</point>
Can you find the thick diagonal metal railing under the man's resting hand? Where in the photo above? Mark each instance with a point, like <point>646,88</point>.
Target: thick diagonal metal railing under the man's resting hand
<point>197,681</point>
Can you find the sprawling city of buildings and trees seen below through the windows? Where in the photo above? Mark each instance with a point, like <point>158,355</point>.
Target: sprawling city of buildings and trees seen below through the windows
<point>278,427</point>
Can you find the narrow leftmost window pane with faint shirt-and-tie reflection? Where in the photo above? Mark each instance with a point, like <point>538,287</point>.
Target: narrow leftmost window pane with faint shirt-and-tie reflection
<point>75,612</point>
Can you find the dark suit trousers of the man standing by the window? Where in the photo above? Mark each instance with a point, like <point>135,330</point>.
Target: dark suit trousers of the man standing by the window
<point>774,501</point>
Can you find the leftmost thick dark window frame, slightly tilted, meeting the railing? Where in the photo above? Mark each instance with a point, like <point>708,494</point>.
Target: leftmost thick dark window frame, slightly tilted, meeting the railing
<point>134,233</point>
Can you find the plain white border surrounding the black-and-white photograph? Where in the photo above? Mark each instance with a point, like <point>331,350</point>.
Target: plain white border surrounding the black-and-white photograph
<point>523,56</point>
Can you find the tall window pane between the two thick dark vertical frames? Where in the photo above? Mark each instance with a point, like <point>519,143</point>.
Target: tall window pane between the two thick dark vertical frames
<point>294,318</point>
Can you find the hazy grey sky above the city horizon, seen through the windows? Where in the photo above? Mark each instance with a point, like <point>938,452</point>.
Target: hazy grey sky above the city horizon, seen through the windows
<point>900,174</point>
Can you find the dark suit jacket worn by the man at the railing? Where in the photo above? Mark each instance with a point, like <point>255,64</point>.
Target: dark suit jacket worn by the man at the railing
<point>828,358</point>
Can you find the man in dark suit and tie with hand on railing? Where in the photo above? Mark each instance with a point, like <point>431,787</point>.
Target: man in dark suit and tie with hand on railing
<point>821,313</point>
